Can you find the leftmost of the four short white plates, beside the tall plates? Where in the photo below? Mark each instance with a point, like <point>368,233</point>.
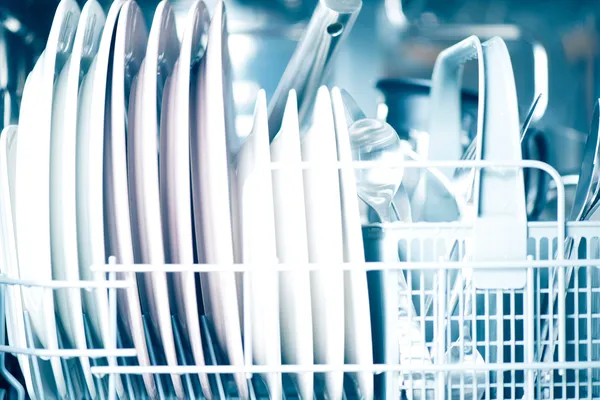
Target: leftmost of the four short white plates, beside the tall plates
<point>258,243</point>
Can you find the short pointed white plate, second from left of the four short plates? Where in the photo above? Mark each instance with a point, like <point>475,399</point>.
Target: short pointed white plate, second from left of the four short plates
<point>292,247</point>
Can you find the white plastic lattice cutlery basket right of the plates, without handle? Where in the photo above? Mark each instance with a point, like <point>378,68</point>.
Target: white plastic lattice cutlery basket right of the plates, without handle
<point>506,324</point>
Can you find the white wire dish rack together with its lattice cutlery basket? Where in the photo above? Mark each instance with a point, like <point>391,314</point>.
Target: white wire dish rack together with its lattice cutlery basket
<point>507,325</point>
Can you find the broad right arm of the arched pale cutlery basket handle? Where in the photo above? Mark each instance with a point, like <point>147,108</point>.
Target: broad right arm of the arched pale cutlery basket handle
<point>500,228</point>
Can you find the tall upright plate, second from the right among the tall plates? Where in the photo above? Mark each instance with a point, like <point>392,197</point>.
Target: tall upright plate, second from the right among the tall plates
<point>175,177</point>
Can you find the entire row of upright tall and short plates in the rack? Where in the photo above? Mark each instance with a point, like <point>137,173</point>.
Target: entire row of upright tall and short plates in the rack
<point>84,177</point>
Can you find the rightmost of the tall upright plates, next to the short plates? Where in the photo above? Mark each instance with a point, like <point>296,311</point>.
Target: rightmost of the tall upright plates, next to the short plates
<point>211,148</point>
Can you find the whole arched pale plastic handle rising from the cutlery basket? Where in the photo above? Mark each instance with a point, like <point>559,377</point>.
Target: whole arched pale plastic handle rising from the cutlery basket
<point>498,139</point>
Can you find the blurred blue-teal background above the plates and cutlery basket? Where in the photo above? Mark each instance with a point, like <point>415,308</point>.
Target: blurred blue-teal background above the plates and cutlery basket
<point>389,55</point>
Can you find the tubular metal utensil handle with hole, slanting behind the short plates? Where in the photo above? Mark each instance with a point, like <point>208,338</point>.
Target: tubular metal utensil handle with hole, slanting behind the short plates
<point>329,25</point>
